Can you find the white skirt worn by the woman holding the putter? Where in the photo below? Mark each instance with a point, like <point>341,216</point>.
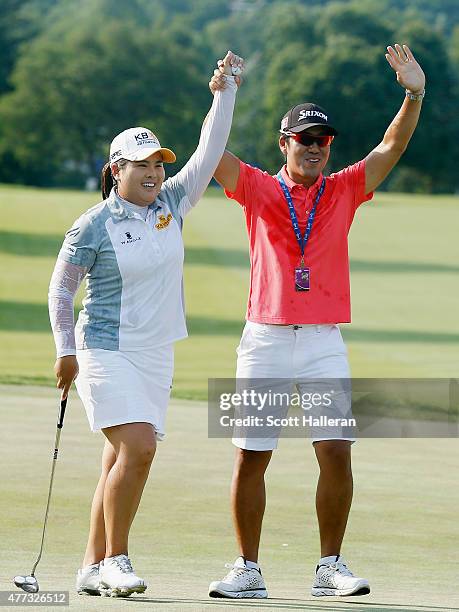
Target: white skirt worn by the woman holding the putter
<point>126,387</point>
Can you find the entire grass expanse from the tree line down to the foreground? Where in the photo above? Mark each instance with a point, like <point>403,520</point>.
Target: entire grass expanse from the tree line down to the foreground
<point>403,527</point>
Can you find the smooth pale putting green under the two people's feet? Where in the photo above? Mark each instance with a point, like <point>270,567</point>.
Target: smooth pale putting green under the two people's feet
<point>402,531</point>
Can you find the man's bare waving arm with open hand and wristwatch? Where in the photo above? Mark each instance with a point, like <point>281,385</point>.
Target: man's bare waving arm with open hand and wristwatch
<point>385,156</point>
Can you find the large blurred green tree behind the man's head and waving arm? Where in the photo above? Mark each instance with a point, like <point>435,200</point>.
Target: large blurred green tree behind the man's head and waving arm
<point>334,55</point>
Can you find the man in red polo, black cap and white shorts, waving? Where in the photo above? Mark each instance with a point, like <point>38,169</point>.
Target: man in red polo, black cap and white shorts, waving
<point>298,223</point>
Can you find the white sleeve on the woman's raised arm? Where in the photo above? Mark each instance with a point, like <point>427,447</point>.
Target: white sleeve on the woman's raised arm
<point>195,176</point>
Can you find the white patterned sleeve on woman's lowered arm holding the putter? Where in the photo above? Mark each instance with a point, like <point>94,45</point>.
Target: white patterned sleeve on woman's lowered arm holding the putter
<point>65,281</point>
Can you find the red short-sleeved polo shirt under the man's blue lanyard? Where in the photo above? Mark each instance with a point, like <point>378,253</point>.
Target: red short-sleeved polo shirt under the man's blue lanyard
<point>275,253</point>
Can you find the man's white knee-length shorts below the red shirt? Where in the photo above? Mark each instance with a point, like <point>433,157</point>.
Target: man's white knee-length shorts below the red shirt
<point>283,355</point>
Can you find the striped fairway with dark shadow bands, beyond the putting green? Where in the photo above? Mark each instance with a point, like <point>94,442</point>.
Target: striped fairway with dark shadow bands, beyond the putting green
<point>405,291</point>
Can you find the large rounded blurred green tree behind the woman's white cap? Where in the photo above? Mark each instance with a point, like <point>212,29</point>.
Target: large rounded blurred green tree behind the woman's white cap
<point>98,69</point>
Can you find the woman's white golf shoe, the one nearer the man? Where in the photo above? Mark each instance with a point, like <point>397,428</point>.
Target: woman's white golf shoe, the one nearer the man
<point>117,578</point>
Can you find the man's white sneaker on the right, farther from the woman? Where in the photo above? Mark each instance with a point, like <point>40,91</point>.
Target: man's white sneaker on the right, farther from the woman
<point>334,579</point>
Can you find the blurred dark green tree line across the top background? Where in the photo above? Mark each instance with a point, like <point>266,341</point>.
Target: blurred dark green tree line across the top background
<point>74,73</point>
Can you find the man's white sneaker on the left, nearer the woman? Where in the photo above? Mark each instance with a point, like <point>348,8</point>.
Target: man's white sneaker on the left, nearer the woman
<point>241,581</point>
